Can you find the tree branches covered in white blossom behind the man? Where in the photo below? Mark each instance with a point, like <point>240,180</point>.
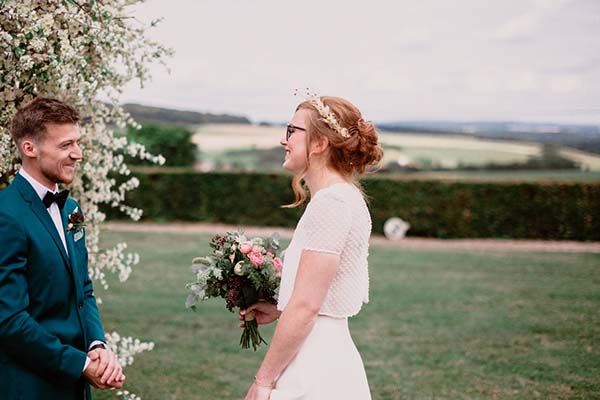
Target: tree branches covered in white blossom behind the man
<point>82,52</point>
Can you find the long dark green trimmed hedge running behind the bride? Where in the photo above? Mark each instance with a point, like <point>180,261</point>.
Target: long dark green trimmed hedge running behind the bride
<point>433,208</point>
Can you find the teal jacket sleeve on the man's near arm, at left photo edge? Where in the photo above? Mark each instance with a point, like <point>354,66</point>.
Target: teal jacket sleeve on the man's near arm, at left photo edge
<point>20,335</point>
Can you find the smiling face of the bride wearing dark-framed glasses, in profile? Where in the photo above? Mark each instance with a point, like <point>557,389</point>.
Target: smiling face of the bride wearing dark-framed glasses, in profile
<point>295,143</point>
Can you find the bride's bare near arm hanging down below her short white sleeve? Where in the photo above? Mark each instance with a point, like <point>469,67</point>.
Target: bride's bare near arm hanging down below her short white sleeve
<point>316,271</point>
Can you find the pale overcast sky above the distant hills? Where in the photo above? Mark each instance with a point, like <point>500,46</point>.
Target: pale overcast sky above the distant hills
<point>525,60</point>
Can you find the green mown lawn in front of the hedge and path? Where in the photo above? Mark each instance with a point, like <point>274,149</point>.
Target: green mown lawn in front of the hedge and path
<point>440,325</point>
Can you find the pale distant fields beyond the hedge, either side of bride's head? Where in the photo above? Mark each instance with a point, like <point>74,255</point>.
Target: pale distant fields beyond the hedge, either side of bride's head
<point>443,151</point>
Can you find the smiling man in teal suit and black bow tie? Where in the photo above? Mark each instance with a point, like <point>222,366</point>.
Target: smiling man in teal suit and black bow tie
<point>51,337</point>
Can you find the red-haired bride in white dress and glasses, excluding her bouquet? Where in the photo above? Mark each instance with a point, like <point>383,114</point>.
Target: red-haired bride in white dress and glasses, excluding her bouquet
<point>328,146</point>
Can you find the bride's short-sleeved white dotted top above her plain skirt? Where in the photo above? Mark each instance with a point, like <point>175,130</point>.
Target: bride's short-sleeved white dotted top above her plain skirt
<point>337,221</point>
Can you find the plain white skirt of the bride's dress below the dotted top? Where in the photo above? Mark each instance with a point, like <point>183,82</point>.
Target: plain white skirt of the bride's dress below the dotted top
<point>327,366</point>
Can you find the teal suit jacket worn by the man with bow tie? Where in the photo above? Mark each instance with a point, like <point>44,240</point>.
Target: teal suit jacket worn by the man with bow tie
<point>48,312</point>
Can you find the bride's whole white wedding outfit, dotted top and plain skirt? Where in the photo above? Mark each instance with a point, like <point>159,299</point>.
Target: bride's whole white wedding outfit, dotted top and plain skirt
<point>328,365</point>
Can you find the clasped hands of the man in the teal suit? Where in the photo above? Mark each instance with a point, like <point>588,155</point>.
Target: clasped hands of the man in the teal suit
<point>104,370</point>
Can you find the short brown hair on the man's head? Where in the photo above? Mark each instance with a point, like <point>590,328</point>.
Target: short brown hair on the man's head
<point>30,120</point>
